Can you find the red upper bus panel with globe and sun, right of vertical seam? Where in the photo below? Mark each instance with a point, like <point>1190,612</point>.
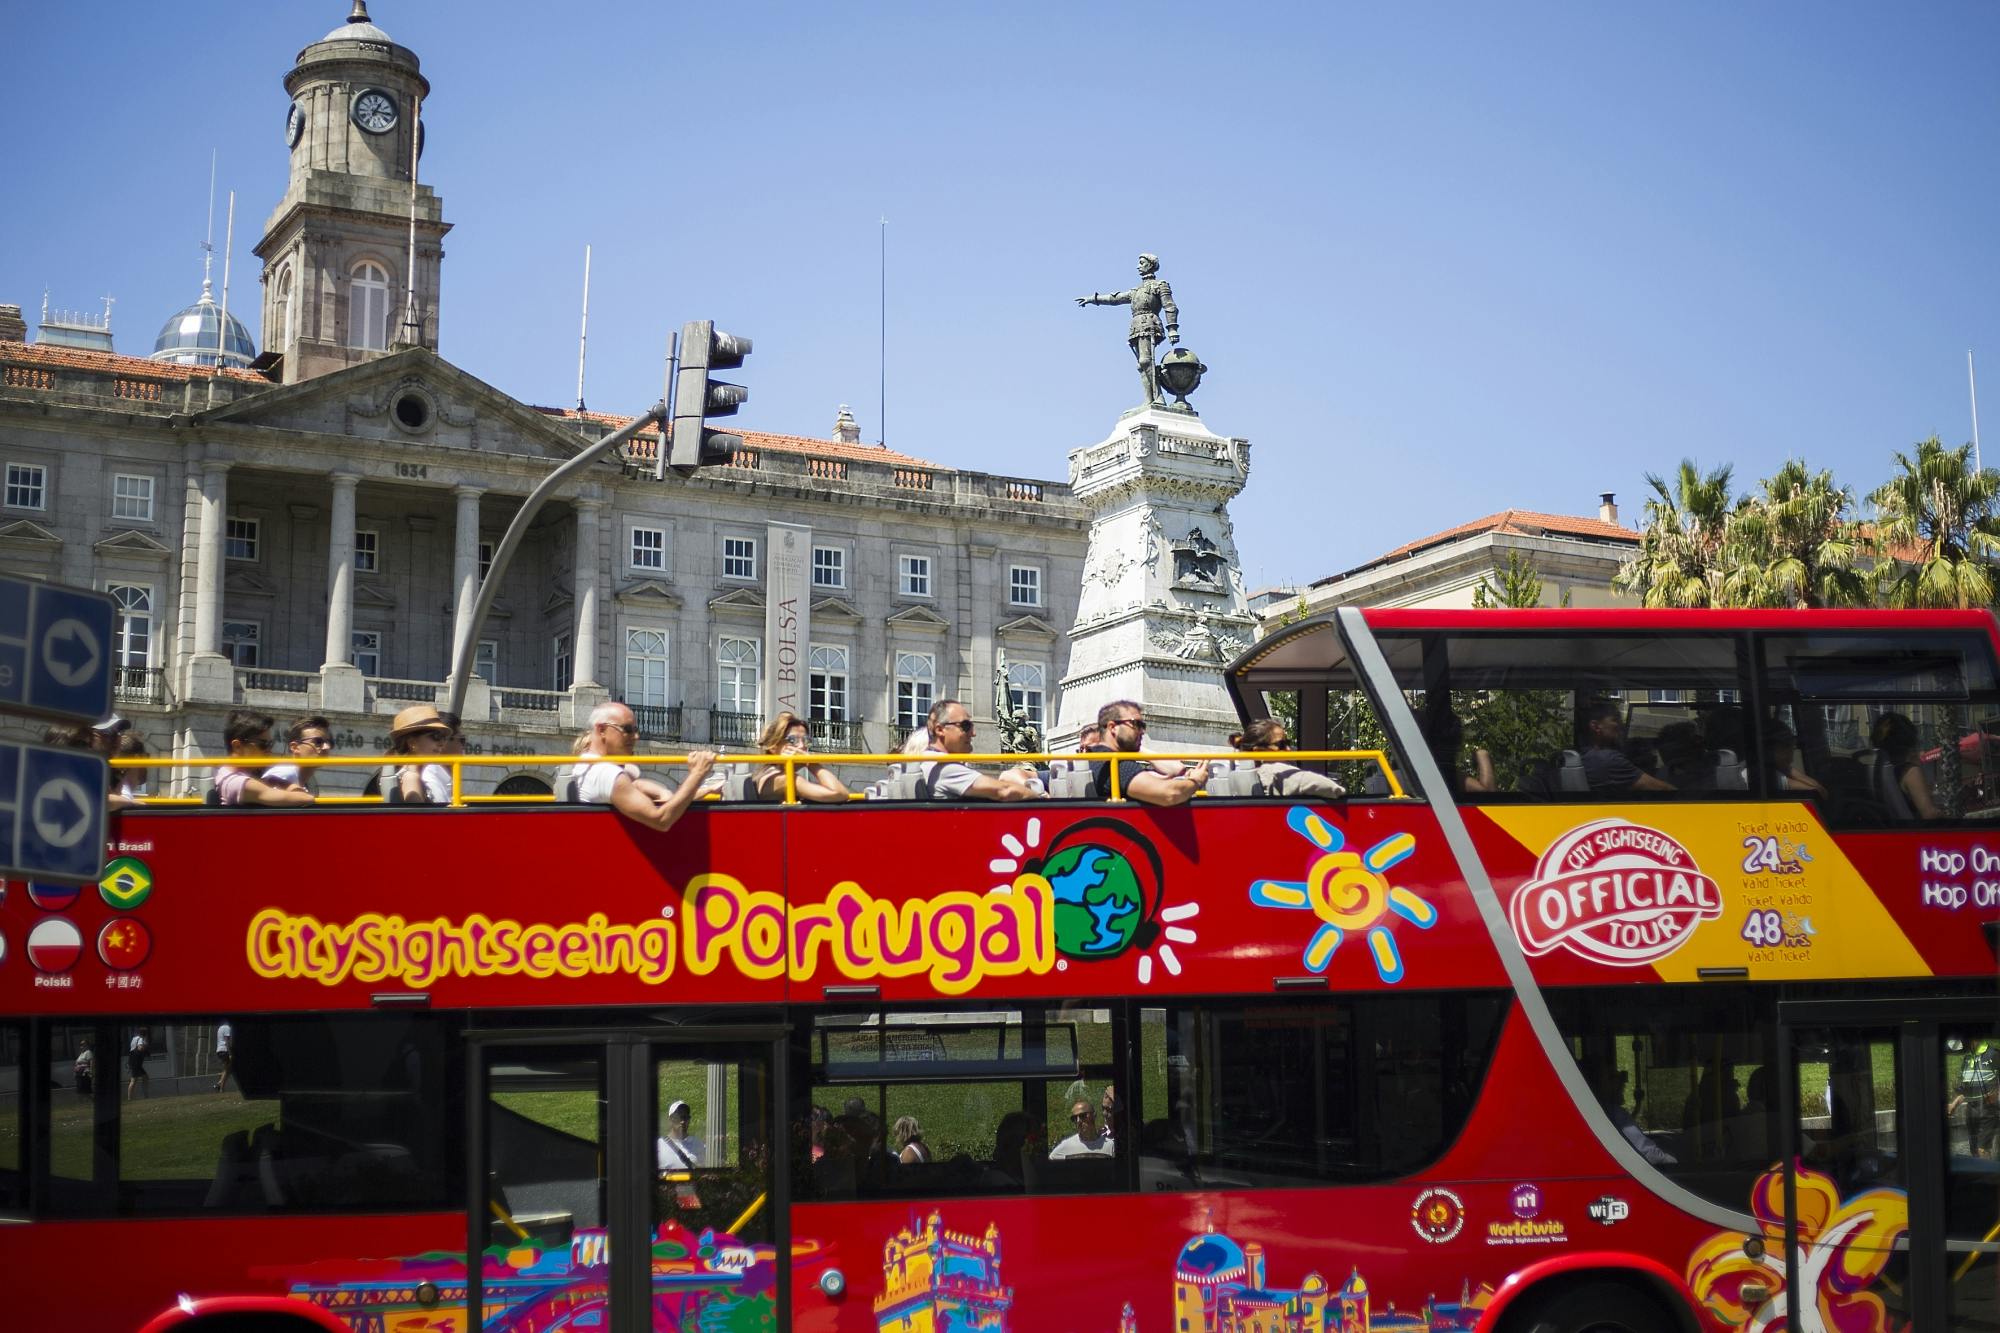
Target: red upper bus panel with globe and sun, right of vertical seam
<point>1055,902</point>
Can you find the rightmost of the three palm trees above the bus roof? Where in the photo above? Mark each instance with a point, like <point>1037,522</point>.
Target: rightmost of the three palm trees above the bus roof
<point>1939,529</point>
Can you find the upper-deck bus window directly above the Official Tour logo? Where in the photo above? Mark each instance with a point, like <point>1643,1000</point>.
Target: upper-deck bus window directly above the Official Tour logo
<point>1579,718</point>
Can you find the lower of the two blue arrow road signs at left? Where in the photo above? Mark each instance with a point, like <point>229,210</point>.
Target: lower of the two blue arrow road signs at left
<point>51,814</point>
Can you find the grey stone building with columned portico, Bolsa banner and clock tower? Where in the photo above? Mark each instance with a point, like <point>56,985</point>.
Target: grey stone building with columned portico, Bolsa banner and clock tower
<point>309,535</point>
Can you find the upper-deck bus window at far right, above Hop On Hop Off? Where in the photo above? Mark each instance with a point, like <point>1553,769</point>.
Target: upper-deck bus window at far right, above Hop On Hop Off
<point>1885,730</point>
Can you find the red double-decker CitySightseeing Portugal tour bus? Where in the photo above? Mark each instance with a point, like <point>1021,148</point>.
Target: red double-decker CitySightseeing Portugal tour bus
<point>1661,1000</point>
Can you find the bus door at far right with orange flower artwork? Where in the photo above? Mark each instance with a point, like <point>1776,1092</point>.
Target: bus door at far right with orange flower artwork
<point>1893,1184</point>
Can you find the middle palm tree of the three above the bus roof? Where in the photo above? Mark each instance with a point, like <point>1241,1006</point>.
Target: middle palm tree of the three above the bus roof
<point>1795,545</point>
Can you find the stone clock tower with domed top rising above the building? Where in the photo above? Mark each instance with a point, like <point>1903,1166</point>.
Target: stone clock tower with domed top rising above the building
<point>337,251</point>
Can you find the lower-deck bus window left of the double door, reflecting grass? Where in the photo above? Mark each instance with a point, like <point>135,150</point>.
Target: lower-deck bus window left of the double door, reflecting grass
<point>273,1116</point>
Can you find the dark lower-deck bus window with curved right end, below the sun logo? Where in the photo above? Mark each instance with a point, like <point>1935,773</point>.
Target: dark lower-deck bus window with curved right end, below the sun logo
<point>1255,1096</point>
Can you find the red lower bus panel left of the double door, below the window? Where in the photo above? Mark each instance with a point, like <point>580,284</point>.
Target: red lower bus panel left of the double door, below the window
<point>121,1274</point>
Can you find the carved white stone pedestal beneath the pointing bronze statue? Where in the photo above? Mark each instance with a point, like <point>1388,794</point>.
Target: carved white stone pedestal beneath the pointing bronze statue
<point>1163,605</point>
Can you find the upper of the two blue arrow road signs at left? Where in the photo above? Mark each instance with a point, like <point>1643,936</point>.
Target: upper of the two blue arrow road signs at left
<point>55,649</point>
